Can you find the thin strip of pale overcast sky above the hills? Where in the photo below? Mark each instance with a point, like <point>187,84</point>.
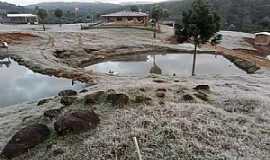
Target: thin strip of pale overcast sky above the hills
<point>27,2</point>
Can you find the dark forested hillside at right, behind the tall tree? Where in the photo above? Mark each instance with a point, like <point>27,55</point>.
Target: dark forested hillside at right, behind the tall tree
<point>240,15</point>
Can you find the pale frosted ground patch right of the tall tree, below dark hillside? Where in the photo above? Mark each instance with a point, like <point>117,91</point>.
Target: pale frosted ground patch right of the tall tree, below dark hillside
<point>234,40</point>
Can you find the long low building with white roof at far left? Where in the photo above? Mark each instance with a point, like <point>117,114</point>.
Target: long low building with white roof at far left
<point>21,19</point>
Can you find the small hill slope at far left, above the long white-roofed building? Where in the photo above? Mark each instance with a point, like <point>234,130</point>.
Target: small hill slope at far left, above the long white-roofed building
<point>11,8</point>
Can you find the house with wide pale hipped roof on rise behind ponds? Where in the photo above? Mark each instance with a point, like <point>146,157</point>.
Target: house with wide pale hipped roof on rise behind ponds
<point>126,18</point>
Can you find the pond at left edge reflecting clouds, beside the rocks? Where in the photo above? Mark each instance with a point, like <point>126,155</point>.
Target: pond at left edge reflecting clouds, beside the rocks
<point>19,84</point>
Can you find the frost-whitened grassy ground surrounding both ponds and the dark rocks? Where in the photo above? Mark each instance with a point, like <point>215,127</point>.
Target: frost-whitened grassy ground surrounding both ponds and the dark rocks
<point>232,124</point>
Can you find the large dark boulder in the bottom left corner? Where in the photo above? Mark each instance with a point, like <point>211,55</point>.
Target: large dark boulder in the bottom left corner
<point>25,139</point>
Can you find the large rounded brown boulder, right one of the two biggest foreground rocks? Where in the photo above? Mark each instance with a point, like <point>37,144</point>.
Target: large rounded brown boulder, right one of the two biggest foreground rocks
<point>75,122</point>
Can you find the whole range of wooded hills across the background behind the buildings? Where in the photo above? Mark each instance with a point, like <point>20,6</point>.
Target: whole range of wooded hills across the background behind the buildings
<point>238,15</point>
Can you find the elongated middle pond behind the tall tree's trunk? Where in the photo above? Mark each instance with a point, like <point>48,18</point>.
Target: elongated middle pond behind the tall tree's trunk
<point>168,64</point>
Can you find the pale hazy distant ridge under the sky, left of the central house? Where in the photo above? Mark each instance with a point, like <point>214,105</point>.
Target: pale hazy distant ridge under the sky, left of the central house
<point>83,7</point>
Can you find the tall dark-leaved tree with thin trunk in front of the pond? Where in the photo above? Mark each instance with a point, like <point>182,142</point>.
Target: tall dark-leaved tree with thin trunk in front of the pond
<point>200,24</point>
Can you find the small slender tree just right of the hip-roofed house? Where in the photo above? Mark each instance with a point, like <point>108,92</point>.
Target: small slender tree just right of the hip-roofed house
<point>156,14</point>
